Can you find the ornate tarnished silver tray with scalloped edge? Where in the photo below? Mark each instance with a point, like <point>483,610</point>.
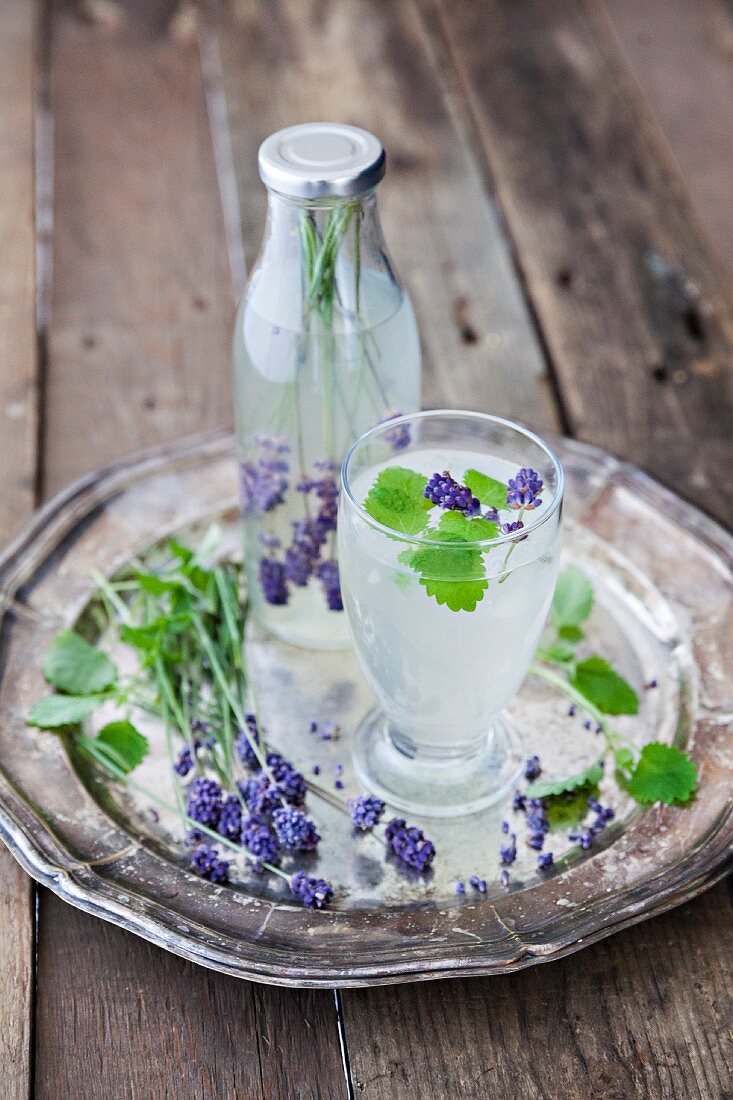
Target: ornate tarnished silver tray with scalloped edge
<point>664,610</point>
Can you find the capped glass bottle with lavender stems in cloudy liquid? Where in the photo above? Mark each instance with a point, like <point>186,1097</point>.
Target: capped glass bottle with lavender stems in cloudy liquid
<point>325,347</point>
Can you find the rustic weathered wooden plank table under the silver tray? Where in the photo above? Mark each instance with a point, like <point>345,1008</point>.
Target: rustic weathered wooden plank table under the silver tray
<point>559,202</point>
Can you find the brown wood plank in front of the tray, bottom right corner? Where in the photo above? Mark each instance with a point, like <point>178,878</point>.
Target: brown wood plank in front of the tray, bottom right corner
<point>647,1014</point>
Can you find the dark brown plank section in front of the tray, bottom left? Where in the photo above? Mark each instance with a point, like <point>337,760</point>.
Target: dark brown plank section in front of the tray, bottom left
<point>122,1018</point>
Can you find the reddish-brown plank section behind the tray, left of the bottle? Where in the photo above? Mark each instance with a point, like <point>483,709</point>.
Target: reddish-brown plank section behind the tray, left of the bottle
<point>143,302</point>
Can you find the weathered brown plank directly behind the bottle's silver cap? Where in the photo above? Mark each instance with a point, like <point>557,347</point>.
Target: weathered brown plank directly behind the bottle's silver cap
<point>371,64</point>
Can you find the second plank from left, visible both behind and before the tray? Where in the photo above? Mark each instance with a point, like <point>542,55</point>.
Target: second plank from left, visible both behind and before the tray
<point>139,353</point>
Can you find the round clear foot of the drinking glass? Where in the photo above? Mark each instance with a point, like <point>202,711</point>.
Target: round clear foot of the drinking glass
<point>444,788</point>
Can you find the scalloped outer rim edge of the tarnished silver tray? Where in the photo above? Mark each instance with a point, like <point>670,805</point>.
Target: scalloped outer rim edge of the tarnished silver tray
<point>79,885</point>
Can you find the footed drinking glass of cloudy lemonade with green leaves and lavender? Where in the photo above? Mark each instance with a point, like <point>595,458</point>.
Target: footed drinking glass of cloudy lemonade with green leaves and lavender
<point>447,576</point>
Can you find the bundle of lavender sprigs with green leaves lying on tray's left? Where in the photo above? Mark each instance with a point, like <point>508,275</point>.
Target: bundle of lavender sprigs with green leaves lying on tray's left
<point>187,623</point>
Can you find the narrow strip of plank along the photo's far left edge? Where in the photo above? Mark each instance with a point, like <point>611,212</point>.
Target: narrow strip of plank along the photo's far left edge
<point>18,463</point>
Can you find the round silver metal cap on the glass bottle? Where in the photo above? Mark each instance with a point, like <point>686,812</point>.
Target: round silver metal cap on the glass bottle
<point>322,161</point>
